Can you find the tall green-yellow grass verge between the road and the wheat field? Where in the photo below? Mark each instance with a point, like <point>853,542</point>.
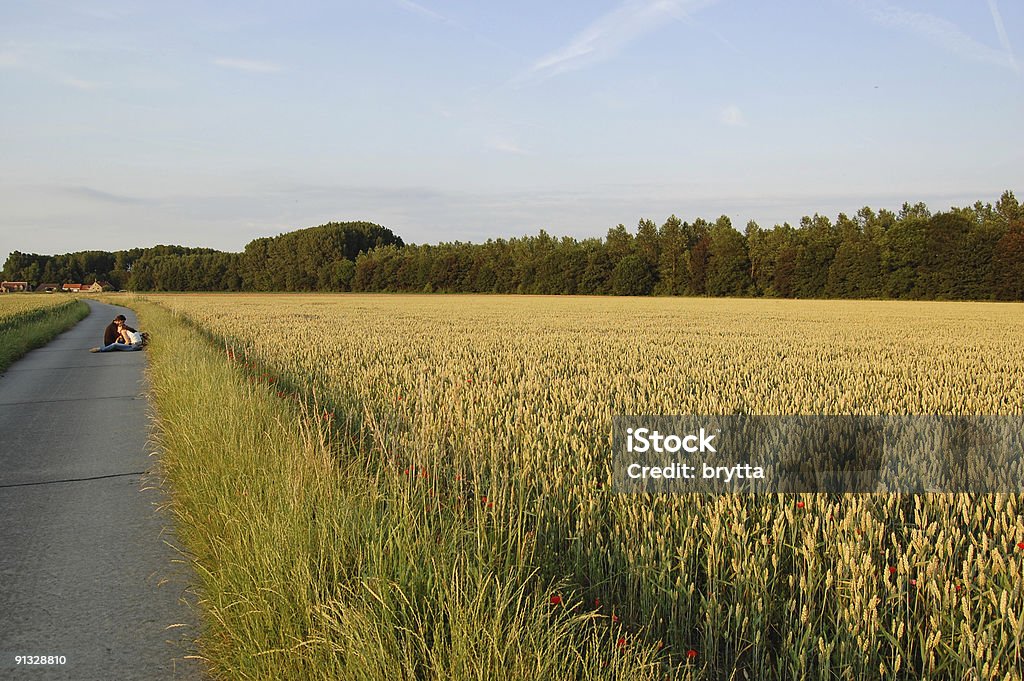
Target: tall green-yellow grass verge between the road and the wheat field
<point>312,568</point>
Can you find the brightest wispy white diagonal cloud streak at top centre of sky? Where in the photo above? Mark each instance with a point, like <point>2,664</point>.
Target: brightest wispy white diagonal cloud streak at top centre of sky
<point>611,33</point>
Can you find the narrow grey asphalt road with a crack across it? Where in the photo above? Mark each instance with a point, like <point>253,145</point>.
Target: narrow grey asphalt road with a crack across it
<point>87,572</point>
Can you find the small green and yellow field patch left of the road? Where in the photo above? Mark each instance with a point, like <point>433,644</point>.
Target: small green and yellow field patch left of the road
<point>30,323</point>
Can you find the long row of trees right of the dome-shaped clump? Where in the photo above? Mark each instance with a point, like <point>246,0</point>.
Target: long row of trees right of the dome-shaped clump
<point>974,253</point>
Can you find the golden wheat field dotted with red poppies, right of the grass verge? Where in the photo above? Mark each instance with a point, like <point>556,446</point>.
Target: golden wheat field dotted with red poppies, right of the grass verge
<point>488,419</point>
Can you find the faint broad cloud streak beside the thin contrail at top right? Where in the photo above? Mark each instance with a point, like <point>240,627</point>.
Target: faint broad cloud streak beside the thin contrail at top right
<point>944,33</point>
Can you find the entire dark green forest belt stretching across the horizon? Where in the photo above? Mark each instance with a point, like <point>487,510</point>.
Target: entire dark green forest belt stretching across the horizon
<point>973,253</point>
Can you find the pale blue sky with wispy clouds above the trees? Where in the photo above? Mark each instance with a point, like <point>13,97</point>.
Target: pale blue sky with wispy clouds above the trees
<point>208,124</point>
